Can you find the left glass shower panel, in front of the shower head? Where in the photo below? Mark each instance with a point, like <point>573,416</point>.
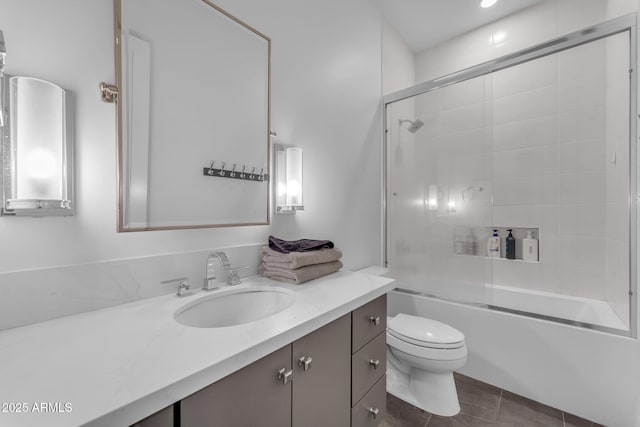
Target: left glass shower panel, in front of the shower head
<point>439,195</point>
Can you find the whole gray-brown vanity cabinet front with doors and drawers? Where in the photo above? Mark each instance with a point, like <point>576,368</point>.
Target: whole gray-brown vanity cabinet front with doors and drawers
<point>334,376</point>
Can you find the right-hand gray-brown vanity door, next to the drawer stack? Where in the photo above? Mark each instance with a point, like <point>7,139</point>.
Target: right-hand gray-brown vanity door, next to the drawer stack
<point>321,394</point>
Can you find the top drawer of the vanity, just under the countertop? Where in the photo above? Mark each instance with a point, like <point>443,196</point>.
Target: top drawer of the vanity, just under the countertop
<point>367,322</point>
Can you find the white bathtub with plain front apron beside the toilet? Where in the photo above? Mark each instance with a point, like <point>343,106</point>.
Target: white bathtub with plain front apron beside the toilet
<point>589,373</point>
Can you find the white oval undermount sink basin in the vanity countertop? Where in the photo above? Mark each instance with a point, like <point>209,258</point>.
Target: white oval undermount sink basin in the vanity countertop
<point>234,306</point>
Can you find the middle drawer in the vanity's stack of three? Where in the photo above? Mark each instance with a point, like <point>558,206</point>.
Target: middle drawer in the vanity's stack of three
<point>367,366</point>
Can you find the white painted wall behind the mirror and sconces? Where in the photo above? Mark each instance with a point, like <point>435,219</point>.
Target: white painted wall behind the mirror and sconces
<point>326,73</point>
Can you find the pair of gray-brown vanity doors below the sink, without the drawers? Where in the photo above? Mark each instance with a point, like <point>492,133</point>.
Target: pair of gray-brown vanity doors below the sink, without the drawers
<point>304,384</point>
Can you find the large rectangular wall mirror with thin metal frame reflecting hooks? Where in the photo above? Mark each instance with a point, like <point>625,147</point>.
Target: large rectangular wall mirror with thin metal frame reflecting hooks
<point>193,107</point>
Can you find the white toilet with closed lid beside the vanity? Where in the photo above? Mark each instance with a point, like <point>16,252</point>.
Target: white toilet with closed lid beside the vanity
<point>421,357</point>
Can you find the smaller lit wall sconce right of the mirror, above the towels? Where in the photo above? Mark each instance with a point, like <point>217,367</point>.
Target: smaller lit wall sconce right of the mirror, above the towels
<point>287,178</point>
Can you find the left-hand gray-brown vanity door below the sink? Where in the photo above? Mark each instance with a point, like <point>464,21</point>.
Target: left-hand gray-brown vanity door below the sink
<point>252,396</point>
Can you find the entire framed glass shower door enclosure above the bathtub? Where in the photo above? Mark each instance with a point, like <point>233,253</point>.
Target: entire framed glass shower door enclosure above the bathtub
<point>539,143</point>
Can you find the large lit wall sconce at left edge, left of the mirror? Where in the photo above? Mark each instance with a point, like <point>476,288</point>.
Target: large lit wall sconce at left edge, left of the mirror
<point>36,148</point>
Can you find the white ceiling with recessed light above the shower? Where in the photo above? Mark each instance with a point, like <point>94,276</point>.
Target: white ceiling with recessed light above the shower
<point>426,23</point>
